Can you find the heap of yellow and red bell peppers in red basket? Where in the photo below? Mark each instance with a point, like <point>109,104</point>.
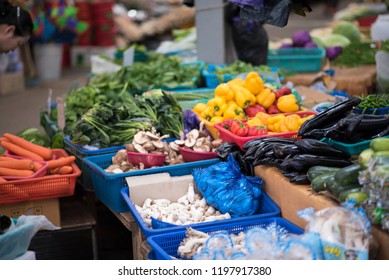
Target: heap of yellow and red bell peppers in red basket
<point>241,99</point>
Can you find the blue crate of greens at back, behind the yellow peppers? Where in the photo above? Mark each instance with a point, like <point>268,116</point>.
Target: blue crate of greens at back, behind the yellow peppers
<point>212,81</point>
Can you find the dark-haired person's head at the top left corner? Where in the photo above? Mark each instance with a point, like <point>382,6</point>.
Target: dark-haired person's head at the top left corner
<point>16,26</point>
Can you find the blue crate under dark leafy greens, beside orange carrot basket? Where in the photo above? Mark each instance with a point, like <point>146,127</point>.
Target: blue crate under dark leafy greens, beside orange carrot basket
<point>80,153</point>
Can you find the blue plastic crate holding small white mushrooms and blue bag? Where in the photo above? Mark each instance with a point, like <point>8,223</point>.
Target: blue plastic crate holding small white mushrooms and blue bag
<point>267,208</point>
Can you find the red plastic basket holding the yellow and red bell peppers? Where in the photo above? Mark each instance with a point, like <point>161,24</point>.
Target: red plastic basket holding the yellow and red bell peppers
<point>228,136</point>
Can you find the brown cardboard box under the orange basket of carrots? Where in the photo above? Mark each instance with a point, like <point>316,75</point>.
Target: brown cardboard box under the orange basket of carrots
<point>48,207</point>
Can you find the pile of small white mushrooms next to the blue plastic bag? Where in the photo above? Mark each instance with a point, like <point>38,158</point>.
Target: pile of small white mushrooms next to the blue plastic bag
<point>189,209</point>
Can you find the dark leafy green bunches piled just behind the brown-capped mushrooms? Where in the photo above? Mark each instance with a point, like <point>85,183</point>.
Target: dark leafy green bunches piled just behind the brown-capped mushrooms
<point>105,125</point>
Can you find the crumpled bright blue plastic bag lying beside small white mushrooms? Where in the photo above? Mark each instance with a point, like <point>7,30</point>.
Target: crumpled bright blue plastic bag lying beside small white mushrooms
<point>225,188</point>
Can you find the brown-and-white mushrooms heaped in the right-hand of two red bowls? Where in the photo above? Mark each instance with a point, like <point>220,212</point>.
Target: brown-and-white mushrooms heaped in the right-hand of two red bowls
<point>196,140</point>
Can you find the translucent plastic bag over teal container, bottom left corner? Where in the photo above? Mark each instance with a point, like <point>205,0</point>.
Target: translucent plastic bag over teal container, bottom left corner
<point>16,240</point>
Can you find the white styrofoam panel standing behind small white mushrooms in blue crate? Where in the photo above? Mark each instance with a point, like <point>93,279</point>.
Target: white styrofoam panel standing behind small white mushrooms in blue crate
<point>156,186</point>
